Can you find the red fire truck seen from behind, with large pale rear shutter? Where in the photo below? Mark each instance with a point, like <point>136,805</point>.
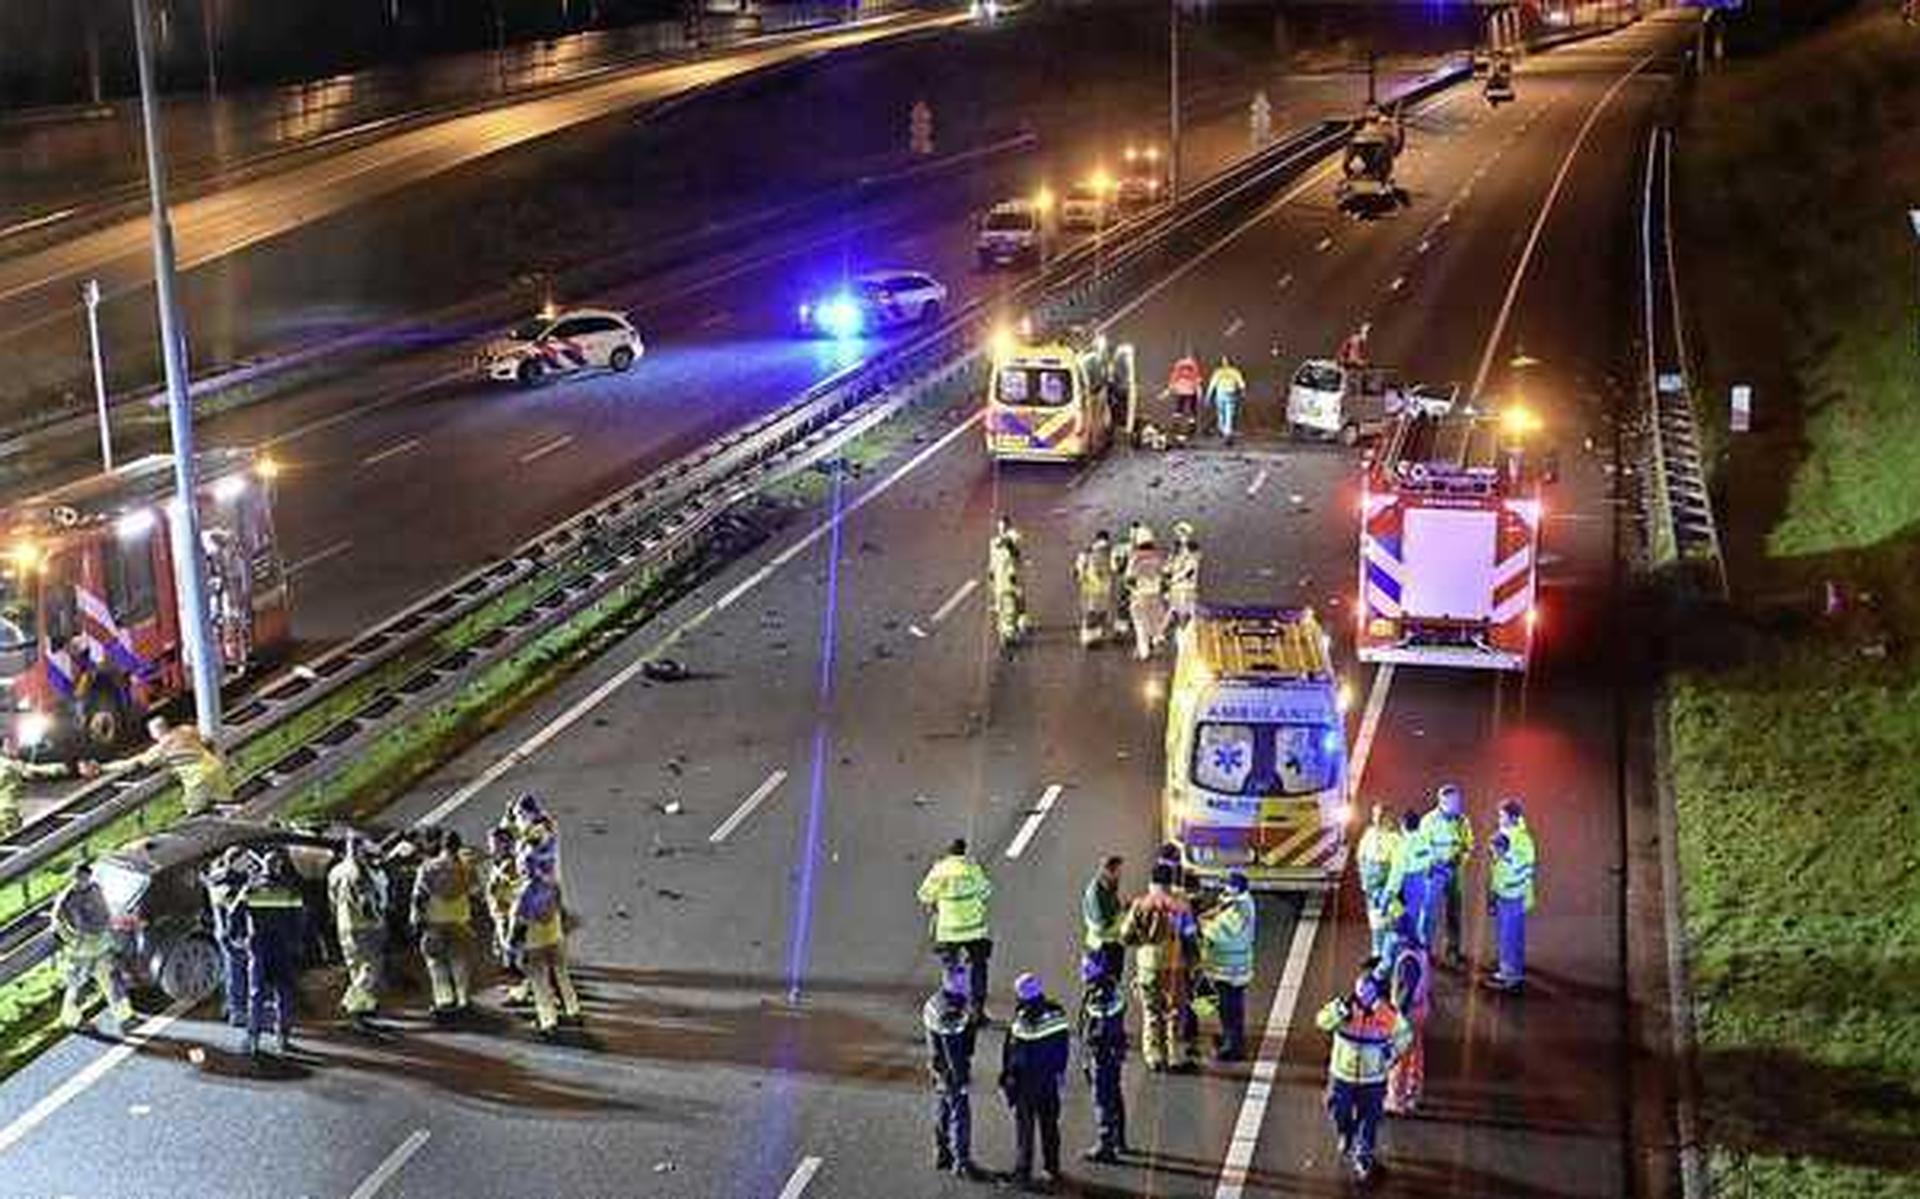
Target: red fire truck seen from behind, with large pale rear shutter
<point>1449,545</point>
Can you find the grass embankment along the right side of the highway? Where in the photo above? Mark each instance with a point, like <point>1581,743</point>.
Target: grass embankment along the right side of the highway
<point>1796,766</point>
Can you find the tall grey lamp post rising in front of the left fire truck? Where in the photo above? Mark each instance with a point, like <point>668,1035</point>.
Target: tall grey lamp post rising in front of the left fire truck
<point>189,564</point>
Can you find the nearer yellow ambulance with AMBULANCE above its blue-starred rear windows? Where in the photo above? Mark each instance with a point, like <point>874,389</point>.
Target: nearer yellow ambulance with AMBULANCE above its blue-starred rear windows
<point>1257,748</point>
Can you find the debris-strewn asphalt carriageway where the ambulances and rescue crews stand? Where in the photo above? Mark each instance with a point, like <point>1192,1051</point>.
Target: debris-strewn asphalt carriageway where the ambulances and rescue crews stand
<point>744,844</point>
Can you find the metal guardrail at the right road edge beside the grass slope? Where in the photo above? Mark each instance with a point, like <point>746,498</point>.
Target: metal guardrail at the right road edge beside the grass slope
<point>1683,506</point>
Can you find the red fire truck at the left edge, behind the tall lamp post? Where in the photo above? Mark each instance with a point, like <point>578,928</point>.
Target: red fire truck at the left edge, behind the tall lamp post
<point>89,622</point>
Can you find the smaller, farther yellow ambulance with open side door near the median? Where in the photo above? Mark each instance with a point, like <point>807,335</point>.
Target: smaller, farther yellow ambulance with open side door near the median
<point>1059,397</point>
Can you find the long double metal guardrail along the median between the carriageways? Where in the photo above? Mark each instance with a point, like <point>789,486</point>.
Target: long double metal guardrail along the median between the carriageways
<point>625,543</point>
